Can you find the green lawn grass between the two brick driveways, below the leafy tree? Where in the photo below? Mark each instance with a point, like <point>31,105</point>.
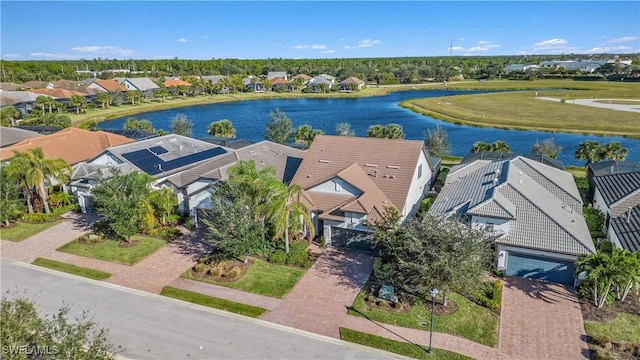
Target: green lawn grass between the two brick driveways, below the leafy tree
<point>470,321</point>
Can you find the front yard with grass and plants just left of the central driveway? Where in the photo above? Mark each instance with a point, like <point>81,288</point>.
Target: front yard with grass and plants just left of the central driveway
<point>256,276</point>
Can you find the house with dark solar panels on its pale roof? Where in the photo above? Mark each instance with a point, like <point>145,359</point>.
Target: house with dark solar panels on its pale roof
<point>159,157</point>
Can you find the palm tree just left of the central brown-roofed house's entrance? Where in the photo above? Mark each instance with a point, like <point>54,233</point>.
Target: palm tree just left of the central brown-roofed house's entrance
<point>287,212</point>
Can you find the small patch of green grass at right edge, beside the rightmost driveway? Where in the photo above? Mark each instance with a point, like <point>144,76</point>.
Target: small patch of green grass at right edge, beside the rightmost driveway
<point>624,328</point>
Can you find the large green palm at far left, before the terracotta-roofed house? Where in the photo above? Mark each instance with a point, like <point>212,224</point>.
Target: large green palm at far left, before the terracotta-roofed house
<point>35,173</point>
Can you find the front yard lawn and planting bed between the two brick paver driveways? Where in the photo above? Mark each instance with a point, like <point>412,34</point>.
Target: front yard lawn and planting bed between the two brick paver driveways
<point>460,317</point>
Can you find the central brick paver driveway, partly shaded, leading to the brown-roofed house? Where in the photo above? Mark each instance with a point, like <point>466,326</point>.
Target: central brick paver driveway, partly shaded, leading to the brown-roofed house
<point>319,301</point>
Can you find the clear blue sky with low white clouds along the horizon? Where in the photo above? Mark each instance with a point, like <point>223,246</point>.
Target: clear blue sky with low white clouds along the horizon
<point>54,30</point>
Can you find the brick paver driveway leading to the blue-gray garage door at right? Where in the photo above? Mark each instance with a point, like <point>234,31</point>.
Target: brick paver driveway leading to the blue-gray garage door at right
<point>540,321</point>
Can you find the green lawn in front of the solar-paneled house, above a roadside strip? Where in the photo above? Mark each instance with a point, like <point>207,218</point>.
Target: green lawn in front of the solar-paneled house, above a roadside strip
<point>110,251</point>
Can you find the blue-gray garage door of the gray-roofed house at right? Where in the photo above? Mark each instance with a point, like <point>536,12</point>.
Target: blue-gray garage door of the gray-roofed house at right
<point>541,268</point>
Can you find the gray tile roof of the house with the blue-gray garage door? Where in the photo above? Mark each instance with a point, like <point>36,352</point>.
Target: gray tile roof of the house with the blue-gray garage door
<point>541,202</point>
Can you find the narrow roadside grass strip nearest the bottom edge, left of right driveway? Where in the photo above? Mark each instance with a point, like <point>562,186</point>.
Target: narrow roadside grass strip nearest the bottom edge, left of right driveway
<point>411,350</point>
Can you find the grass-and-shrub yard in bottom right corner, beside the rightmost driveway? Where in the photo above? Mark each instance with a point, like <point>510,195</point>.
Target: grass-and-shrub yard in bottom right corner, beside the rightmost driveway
<point>613,331</point>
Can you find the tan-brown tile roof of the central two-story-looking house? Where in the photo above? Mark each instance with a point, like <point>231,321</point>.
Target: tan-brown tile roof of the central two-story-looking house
<point>381,168</point>
